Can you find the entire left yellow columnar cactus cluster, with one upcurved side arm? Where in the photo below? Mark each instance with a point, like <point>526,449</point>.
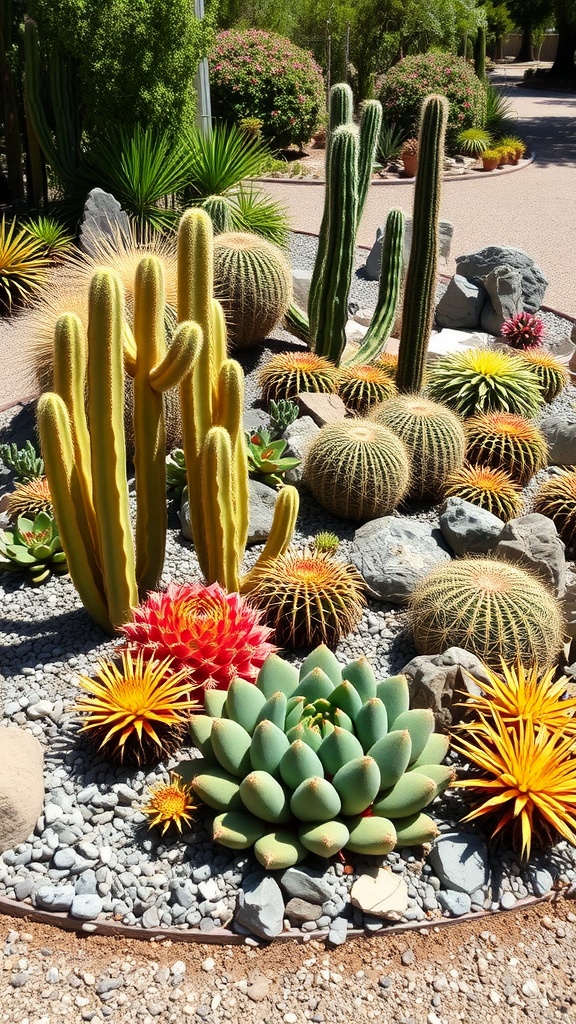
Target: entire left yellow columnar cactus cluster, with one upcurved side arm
<point>87,465</point>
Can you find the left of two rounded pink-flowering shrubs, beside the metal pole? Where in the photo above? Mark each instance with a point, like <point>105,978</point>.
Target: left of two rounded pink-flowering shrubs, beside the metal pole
<point>262,75</point>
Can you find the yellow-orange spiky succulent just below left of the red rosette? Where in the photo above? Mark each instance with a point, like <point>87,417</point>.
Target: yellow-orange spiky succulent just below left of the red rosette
<point>137,713</point>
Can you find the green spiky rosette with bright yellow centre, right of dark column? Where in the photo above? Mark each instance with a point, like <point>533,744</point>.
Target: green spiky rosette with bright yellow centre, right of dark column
<point>479,380</point>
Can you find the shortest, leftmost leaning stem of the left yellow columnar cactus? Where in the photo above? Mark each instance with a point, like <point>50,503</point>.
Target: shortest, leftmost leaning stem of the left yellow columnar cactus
<point>60,461</point>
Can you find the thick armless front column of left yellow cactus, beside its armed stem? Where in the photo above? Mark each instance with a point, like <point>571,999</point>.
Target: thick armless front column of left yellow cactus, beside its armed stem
<point>106,402</point>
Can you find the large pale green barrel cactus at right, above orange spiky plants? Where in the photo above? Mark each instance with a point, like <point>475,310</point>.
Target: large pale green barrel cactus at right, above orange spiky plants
<point>493,609</point>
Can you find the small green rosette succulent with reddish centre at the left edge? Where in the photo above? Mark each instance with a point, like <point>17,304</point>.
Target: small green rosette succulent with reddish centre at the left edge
<point>33,547</point>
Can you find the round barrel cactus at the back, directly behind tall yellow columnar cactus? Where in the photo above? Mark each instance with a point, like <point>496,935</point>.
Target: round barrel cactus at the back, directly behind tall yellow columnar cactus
<point>254,282</point>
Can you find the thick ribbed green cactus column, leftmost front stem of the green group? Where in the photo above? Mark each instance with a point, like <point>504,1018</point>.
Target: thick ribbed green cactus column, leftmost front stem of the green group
<point>332,311</point>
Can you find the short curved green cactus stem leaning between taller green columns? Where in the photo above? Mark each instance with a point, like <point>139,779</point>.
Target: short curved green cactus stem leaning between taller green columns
<point>389,293</point>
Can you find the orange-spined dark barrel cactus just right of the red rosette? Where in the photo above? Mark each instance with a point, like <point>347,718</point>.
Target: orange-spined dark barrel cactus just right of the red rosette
<point>309,598</point>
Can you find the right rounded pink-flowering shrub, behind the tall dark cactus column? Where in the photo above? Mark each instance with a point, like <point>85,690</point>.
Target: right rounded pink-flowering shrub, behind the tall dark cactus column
<point>406,86</point>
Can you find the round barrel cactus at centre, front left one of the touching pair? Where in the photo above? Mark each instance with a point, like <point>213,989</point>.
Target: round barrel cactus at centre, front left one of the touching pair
<point>358,470</point>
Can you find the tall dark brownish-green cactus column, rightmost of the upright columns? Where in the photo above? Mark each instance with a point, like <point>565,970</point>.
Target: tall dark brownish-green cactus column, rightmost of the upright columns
<point>420,293</point>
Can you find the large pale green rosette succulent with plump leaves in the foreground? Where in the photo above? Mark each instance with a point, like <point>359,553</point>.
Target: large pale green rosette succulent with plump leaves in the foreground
<point>315,761</point>
